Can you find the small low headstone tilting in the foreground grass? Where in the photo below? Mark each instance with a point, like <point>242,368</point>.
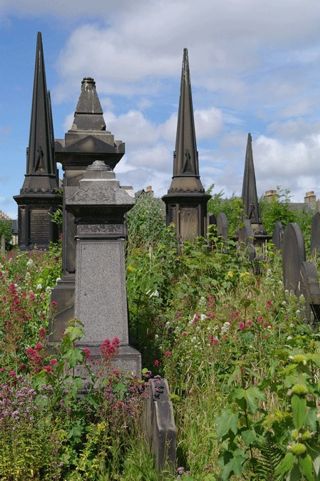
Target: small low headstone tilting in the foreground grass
<point>158,423</point>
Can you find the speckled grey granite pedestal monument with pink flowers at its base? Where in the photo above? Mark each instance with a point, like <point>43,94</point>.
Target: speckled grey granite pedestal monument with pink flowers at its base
<point>98,205</point>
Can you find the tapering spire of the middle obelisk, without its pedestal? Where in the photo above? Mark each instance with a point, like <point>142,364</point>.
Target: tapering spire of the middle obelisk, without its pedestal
<point>185,162</point>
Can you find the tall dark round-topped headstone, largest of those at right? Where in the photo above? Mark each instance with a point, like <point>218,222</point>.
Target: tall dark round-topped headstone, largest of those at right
<point>293,255</point>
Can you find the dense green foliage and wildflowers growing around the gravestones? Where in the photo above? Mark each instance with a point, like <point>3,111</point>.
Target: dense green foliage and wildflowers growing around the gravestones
<point>242,364</point>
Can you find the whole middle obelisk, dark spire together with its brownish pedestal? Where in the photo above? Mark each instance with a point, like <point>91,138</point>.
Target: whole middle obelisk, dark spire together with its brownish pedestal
<point>186,200</point>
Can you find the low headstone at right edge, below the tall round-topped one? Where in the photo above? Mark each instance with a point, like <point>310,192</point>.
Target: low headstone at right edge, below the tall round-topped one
<point>309,287</point>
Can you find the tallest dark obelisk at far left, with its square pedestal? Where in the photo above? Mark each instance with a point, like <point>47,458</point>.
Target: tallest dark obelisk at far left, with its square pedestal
<point>39,196</point>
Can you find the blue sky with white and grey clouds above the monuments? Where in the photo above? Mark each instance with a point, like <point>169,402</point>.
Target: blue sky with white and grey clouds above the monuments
<point>255,67</point>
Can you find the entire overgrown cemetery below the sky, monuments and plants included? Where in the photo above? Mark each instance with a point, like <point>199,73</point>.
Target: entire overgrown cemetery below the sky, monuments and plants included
<point>153,339</point>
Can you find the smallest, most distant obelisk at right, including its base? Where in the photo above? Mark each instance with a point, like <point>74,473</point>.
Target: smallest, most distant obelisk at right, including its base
<point>250,196</point>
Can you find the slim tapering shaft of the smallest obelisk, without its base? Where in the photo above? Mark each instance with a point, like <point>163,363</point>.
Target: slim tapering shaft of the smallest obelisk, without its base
<point>249,187</point>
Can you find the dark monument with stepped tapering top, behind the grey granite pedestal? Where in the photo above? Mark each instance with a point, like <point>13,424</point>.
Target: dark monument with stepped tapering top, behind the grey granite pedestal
<point>86,141</point>
